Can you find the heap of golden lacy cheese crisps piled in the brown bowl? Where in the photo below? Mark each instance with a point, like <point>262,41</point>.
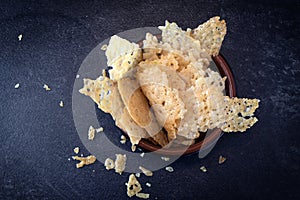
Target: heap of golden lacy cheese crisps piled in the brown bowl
<point>164,90</point>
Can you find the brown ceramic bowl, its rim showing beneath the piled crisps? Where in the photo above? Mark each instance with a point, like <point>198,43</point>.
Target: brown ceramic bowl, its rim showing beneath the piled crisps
<point>205,141</point>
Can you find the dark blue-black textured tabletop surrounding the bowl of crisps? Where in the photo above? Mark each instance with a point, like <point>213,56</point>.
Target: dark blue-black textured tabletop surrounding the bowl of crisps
<point>37,136</point>
